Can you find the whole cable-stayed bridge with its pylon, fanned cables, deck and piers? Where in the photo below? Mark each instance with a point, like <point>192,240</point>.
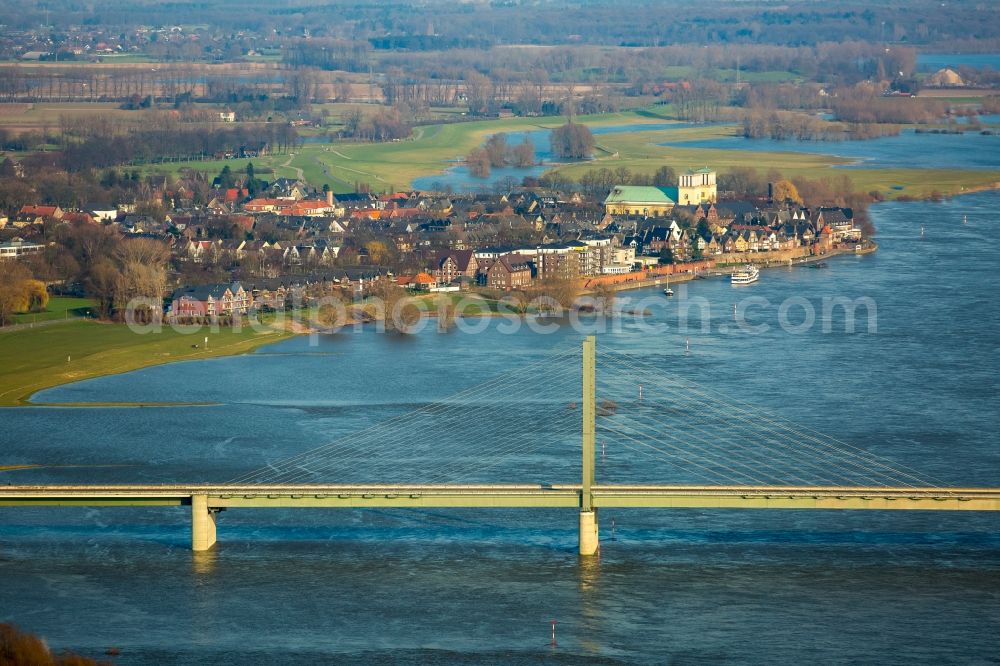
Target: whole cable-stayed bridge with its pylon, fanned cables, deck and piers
<point>687,447</point>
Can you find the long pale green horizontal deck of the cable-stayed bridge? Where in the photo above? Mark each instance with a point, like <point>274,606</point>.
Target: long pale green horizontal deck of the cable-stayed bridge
<point>508,495</point>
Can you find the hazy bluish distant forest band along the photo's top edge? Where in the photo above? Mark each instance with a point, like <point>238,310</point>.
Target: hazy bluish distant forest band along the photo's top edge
<point>438,25</point>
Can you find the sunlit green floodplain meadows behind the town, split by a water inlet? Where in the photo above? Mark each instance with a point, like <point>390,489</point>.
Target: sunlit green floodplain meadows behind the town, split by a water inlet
<point>435,148</point>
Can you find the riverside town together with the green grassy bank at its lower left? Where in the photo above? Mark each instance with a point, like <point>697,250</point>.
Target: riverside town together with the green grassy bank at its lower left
<point>279,257</point>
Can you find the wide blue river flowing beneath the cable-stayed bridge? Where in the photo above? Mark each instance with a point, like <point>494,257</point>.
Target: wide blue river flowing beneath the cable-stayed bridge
<point>458,586</point>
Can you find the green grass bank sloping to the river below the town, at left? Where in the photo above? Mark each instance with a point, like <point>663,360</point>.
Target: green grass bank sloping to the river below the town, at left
<point>35,359</point>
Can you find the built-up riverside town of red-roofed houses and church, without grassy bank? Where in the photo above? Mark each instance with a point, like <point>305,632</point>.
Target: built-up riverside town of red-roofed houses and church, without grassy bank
<point>289,246</point>
